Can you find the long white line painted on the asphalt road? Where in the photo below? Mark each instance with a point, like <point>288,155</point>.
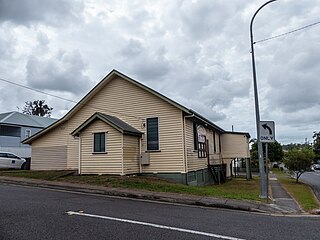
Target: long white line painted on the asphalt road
<point>153,225</point>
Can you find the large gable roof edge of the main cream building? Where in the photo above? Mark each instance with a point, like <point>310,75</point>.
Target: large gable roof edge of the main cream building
<point>113,74</point>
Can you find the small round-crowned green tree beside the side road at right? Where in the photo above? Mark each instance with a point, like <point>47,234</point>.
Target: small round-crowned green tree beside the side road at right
<point>299,160</point>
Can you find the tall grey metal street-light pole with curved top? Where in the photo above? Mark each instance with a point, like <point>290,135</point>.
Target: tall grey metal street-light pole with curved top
<point>263,192</point>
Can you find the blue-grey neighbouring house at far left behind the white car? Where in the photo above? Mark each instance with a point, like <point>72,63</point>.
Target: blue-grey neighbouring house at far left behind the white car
<point>15,127</point>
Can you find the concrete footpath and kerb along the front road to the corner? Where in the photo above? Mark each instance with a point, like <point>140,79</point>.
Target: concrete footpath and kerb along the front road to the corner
<point>282,203</point>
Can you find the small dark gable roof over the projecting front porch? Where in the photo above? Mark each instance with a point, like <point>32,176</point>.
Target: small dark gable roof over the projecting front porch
<point>115,122</point>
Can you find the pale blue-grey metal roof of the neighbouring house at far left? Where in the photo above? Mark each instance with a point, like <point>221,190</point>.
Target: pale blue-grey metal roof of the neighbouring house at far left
<point>16,118</point>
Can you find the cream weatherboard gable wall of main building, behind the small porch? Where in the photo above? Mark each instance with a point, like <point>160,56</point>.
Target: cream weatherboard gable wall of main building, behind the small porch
<point>133,105</point>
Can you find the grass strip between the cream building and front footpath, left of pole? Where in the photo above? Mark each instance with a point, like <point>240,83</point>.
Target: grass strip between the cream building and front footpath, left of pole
<point>238,188</point>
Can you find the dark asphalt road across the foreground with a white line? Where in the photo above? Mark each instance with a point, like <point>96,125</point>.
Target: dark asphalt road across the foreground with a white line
<point>33,213</point>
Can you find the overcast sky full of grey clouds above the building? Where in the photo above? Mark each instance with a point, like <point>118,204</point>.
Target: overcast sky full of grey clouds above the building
<point>195,52</point>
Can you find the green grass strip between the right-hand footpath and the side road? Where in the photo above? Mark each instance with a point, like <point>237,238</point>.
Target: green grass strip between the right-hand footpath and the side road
<point>300,191</point>
